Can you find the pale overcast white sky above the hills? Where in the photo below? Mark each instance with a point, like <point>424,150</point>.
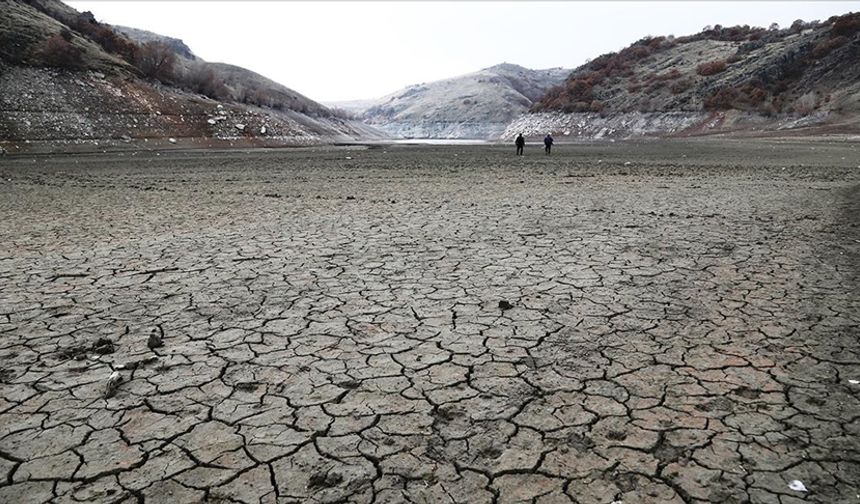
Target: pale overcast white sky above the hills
<point>355,50</point>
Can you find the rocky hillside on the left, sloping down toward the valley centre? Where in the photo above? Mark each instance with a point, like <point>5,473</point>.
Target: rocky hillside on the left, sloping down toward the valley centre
<point>67,81</point>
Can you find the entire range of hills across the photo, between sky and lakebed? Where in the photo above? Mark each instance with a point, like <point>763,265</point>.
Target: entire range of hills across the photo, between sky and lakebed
<point>64,76</point>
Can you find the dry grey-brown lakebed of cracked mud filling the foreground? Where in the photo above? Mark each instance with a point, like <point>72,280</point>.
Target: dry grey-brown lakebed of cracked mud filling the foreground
<point>635,323</point>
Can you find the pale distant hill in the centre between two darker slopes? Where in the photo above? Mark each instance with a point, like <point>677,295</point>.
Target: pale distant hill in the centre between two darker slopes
<point>475,105</point>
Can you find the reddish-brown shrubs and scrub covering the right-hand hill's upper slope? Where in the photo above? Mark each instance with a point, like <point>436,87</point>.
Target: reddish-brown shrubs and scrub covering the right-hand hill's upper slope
<point>768,88</point>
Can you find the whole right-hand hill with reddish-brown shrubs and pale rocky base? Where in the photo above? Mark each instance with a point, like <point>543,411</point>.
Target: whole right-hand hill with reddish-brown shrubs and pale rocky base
<point>737,79</point>
